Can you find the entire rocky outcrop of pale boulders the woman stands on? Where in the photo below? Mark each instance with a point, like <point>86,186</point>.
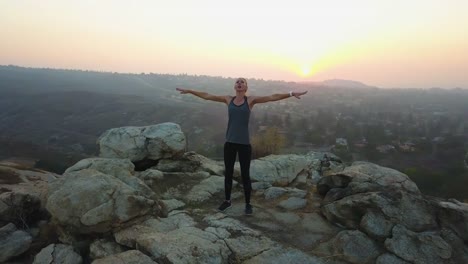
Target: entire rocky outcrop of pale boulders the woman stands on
<point>307,209</point>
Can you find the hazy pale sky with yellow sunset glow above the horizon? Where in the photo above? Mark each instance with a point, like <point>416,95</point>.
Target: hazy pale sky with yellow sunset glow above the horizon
<point>389,44</point>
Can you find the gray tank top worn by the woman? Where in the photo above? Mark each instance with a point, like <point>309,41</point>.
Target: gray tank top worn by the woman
<point>238,124</point>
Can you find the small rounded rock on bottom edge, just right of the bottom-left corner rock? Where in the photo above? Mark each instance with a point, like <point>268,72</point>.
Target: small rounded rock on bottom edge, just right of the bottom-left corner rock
<point>57,253</point>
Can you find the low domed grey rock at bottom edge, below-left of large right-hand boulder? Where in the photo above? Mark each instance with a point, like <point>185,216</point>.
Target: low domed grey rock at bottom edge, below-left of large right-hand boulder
<point>351,246</point>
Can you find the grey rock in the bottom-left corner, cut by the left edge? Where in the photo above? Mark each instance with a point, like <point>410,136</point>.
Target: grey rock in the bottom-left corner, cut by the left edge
<point>13,242</point>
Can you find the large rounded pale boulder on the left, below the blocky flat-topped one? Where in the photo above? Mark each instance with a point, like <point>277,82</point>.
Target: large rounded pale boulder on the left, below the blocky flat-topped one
<point>91,201</point>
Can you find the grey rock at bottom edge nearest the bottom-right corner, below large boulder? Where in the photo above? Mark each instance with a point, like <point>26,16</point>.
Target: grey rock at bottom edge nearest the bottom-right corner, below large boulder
<point>419,248</point>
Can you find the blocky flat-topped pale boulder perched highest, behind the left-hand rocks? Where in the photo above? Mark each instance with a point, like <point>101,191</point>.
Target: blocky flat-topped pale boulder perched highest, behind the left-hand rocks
<point>161,141</point>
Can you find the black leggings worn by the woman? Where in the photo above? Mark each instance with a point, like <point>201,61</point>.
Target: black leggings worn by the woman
<point>245,154</point>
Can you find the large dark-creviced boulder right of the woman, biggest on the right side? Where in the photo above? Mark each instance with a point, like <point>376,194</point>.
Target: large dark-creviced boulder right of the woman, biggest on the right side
<point>373,198</point>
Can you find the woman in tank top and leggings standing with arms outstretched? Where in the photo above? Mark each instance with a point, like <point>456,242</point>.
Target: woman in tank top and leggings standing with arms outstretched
<point>237,134</point>
